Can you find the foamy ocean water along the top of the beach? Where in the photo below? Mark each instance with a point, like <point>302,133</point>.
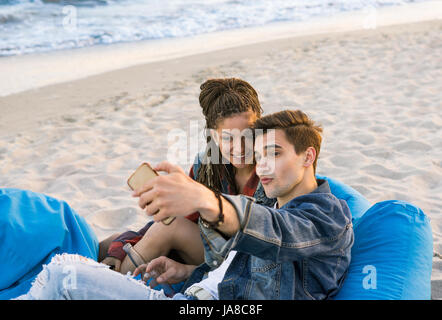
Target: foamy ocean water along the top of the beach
<point>28,26</point>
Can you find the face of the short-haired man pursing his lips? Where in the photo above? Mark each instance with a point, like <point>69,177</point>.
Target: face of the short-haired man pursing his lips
<point>278,166</point>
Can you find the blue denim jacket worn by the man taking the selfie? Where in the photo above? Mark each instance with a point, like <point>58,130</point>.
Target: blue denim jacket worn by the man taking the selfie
<point>299,251</point>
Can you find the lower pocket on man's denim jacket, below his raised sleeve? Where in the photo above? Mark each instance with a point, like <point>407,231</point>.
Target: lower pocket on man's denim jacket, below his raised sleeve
<point>265,278</point>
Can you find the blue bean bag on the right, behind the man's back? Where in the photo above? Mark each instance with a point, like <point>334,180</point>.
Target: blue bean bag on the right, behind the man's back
<point>391,257</point>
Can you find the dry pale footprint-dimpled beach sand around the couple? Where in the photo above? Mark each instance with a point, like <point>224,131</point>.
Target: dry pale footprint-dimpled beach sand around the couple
<point>377,93</point>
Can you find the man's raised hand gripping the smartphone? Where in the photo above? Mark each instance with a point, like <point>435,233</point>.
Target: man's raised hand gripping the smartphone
<point>172,195</point>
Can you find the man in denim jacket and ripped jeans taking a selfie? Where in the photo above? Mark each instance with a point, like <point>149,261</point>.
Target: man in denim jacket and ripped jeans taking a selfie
<point>299,250</point>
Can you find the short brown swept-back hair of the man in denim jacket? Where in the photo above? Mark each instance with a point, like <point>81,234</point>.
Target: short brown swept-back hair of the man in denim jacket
<point>299,130</point>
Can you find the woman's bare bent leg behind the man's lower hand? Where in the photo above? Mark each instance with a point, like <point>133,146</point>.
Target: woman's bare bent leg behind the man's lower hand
<point>182,235</point>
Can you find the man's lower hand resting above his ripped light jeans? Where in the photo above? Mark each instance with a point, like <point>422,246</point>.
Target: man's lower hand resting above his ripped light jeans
<point>164,270</point>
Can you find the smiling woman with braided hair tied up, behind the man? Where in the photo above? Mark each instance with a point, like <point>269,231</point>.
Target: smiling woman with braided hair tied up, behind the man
<point>230,107</point>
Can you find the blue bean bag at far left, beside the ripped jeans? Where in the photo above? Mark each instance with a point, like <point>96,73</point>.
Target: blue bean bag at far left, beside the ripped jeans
<point>34,228</point>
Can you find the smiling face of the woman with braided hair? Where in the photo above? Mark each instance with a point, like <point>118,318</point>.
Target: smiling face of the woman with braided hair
<point>235,139</point>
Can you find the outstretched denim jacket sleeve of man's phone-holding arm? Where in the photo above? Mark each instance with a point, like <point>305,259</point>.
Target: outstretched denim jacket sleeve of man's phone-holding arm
<point>318,225</point>
